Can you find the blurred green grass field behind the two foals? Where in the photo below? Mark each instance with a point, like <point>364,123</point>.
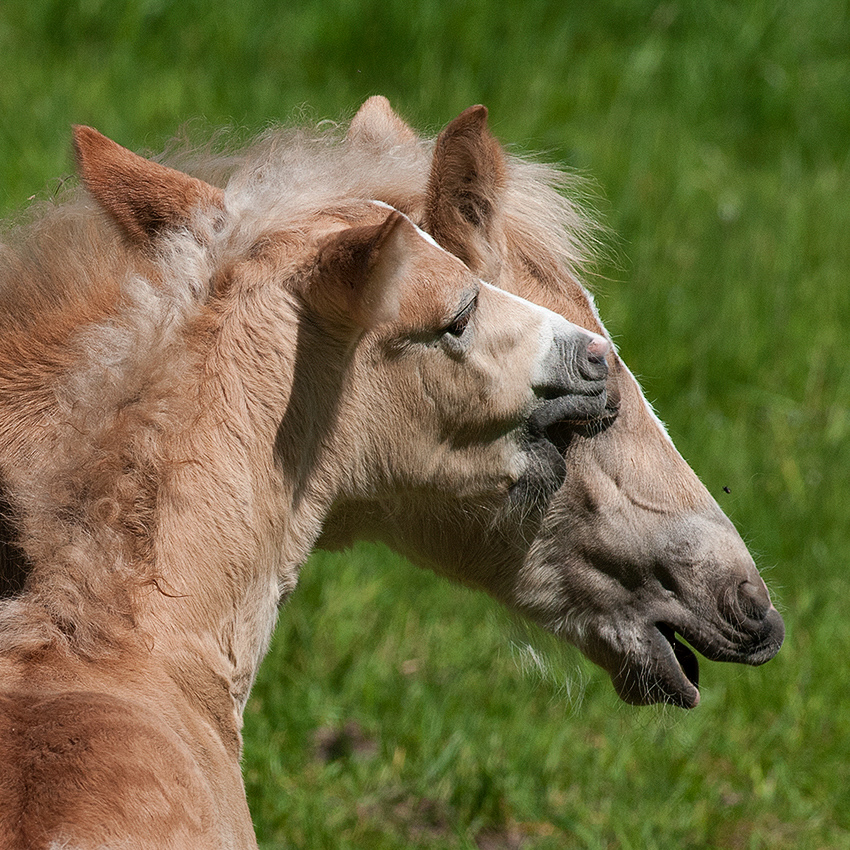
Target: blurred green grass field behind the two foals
<point>719,136</point>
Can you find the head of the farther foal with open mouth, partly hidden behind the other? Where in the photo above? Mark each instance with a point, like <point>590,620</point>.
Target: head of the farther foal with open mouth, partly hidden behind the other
<point>632,550</point>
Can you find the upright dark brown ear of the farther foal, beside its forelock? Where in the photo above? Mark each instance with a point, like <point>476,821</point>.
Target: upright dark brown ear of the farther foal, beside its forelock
<point>466,179</point>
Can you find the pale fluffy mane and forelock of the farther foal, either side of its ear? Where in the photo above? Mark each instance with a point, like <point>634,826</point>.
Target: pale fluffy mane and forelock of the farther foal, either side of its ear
<point>287,173</point>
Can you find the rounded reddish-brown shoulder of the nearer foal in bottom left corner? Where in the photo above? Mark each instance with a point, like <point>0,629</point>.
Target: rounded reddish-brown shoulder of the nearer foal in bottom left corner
<point>81,766</point>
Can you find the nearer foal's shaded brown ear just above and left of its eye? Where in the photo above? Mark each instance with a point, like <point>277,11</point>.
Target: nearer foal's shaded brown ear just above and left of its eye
<point>355,270</point>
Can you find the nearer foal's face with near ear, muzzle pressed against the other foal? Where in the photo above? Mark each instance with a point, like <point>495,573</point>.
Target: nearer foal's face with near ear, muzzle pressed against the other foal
<point>451,382</point>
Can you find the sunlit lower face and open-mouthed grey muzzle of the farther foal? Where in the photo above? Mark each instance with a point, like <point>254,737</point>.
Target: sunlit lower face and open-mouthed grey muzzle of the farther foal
<point>640,553</point>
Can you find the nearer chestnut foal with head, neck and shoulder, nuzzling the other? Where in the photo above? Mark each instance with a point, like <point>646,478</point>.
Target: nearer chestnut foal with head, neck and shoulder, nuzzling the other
<point>191,379</point>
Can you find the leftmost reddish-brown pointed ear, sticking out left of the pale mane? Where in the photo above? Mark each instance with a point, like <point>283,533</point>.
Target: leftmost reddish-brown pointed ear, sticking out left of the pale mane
<point>144,199</point>
